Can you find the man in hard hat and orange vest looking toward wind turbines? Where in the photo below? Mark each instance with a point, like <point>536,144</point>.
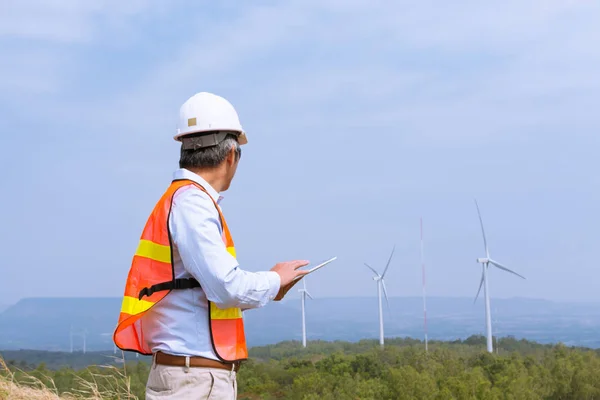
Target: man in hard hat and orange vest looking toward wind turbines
<point>185,291</point>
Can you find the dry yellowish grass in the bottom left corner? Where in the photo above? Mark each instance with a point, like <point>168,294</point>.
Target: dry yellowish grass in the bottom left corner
<point>33,389</point>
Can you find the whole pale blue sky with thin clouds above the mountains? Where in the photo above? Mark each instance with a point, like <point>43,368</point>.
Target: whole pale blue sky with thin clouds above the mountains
<point>362,117</point>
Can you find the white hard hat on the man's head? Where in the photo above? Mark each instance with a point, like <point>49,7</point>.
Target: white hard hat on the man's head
<point>205,112</point>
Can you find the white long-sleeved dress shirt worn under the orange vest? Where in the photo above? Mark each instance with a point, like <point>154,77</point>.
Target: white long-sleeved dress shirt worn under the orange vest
<point>178,324</point>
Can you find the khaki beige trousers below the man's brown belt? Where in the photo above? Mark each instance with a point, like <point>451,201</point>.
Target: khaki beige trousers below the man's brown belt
<point>181,383</point>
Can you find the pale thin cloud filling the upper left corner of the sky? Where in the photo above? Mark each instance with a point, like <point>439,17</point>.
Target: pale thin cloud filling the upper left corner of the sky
<point>43,40</point>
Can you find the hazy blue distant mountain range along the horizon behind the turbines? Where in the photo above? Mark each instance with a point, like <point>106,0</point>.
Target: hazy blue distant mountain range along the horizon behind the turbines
<point>44,323</point>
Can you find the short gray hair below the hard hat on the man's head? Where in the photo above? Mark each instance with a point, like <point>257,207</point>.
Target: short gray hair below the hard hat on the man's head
<point>209,157</point>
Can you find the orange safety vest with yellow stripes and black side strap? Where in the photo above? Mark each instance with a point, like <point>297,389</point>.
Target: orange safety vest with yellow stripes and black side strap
<point>152,277</point>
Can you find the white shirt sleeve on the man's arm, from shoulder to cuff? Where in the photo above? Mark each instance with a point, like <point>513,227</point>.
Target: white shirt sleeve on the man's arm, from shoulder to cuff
<point>196,232</point>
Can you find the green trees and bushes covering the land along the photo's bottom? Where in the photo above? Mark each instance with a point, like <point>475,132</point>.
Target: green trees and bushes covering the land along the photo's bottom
<point>342,370</point>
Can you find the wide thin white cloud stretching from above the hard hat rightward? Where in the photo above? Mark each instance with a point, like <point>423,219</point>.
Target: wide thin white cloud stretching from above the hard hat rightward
<point>479,62</point>
